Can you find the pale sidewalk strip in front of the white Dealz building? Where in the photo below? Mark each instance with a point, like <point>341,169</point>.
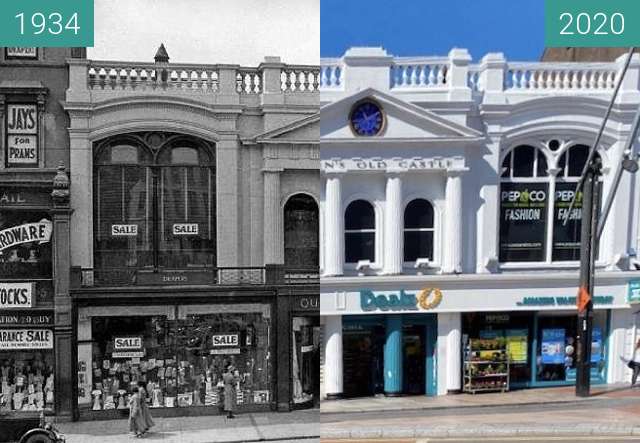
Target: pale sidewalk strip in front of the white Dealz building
<point>555,395</point>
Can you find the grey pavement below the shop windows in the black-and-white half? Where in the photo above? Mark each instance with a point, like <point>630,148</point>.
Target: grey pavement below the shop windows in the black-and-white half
<point>300,426</point>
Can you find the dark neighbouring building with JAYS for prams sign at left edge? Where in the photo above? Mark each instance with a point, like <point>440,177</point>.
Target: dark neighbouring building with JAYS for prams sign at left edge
<point>35,308</point>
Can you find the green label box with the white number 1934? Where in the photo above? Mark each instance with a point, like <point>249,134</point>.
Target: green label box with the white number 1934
<point>46,23</point>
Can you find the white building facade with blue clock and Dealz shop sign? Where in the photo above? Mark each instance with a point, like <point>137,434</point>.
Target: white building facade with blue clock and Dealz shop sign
<point>444,185</point>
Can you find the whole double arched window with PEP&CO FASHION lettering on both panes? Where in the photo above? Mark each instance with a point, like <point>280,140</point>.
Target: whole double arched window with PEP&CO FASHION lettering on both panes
<point>526,209</point>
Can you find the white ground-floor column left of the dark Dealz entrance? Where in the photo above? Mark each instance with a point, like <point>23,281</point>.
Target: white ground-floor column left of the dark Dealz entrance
<point>333,366</point>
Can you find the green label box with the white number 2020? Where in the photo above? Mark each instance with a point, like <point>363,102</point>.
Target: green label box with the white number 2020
<point>592,23</point>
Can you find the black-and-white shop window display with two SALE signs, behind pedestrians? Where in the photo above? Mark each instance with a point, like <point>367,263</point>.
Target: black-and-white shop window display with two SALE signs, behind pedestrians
<point>181,362</point>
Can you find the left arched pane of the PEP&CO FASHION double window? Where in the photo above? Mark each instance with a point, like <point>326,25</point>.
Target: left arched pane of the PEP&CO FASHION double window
<point>523,205</point>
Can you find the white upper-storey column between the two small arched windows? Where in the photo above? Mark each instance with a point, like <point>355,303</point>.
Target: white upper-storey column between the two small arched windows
<point>393,226</point>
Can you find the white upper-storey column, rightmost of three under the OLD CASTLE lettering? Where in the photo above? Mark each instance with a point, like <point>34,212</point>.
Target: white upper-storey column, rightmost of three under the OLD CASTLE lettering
<point>452,258</point>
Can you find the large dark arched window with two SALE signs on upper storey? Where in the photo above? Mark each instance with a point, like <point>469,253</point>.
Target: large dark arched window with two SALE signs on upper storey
<point>154,202</point>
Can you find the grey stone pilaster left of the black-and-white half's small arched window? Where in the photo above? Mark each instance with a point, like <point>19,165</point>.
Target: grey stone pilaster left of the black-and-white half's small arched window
<point>273,223</point>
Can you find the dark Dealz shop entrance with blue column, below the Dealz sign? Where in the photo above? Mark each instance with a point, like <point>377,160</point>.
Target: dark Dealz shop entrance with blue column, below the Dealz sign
<point>390,353</point>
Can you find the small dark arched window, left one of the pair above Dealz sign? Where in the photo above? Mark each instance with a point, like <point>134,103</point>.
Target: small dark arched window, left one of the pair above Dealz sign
<point>359,232</point>
